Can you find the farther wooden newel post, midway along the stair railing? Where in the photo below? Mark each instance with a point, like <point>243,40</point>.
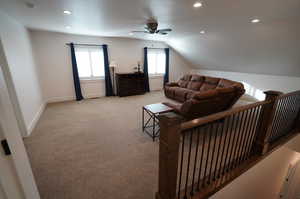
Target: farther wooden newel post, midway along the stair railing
<point>266,119</point>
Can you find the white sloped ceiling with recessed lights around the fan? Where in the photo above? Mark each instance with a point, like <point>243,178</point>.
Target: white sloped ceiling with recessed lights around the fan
<point>231,42</point>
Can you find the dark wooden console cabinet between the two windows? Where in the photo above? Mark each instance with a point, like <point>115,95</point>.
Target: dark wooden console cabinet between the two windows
<point>130,84</point>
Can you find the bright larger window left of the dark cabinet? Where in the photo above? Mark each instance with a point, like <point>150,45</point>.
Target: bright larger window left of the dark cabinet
<point>90,62</point>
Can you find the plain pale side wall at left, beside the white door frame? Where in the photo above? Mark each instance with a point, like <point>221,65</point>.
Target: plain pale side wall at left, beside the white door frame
<point>22,70</point>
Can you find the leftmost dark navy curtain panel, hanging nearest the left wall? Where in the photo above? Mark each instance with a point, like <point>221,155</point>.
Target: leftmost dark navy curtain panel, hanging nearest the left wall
<point>75,74</point>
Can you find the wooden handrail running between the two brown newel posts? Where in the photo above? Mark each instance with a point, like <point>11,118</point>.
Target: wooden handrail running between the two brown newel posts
<point>211,118</point>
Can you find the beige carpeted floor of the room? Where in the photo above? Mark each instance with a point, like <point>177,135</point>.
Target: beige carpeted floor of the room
<point>95,149</point>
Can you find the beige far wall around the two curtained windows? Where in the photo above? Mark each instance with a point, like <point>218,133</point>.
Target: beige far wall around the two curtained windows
<point>54,62</point>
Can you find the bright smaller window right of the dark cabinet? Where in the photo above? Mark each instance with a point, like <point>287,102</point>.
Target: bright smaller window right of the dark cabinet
<point>156,61</point>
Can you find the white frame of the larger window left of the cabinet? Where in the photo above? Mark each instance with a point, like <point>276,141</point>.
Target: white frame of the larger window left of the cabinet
<point>89,50</point>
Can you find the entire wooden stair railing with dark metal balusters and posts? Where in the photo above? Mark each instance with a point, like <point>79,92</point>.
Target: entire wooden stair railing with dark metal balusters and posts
<point>199,157</point>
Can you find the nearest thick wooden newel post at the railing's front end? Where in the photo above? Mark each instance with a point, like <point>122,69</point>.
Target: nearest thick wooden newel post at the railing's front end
<point>169,141</point>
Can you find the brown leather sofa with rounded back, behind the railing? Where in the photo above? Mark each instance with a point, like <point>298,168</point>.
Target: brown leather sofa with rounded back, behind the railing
<point>203,95</point>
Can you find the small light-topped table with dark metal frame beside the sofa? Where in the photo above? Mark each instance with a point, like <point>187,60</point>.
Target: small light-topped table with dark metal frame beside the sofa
<point>153,110</point>
